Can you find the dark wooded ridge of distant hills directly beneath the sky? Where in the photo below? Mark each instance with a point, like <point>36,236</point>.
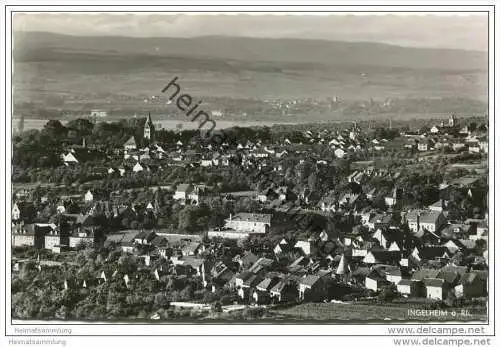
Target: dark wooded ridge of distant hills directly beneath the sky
<point>41,46</point>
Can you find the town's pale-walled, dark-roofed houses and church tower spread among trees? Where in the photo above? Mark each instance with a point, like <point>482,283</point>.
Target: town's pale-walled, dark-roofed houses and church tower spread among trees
<point>421,252</point>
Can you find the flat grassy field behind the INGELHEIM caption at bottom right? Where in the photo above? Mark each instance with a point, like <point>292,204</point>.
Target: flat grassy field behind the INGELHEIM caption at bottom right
<point>369,312</point>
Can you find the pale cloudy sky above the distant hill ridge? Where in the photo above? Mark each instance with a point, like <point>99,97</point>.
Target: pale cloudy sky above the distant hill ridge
<point>461,31</point>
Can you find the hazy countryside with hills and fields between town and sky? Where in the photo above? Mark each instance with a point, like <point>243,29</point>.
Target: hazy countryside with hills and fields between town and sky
<point>71,73</point>
